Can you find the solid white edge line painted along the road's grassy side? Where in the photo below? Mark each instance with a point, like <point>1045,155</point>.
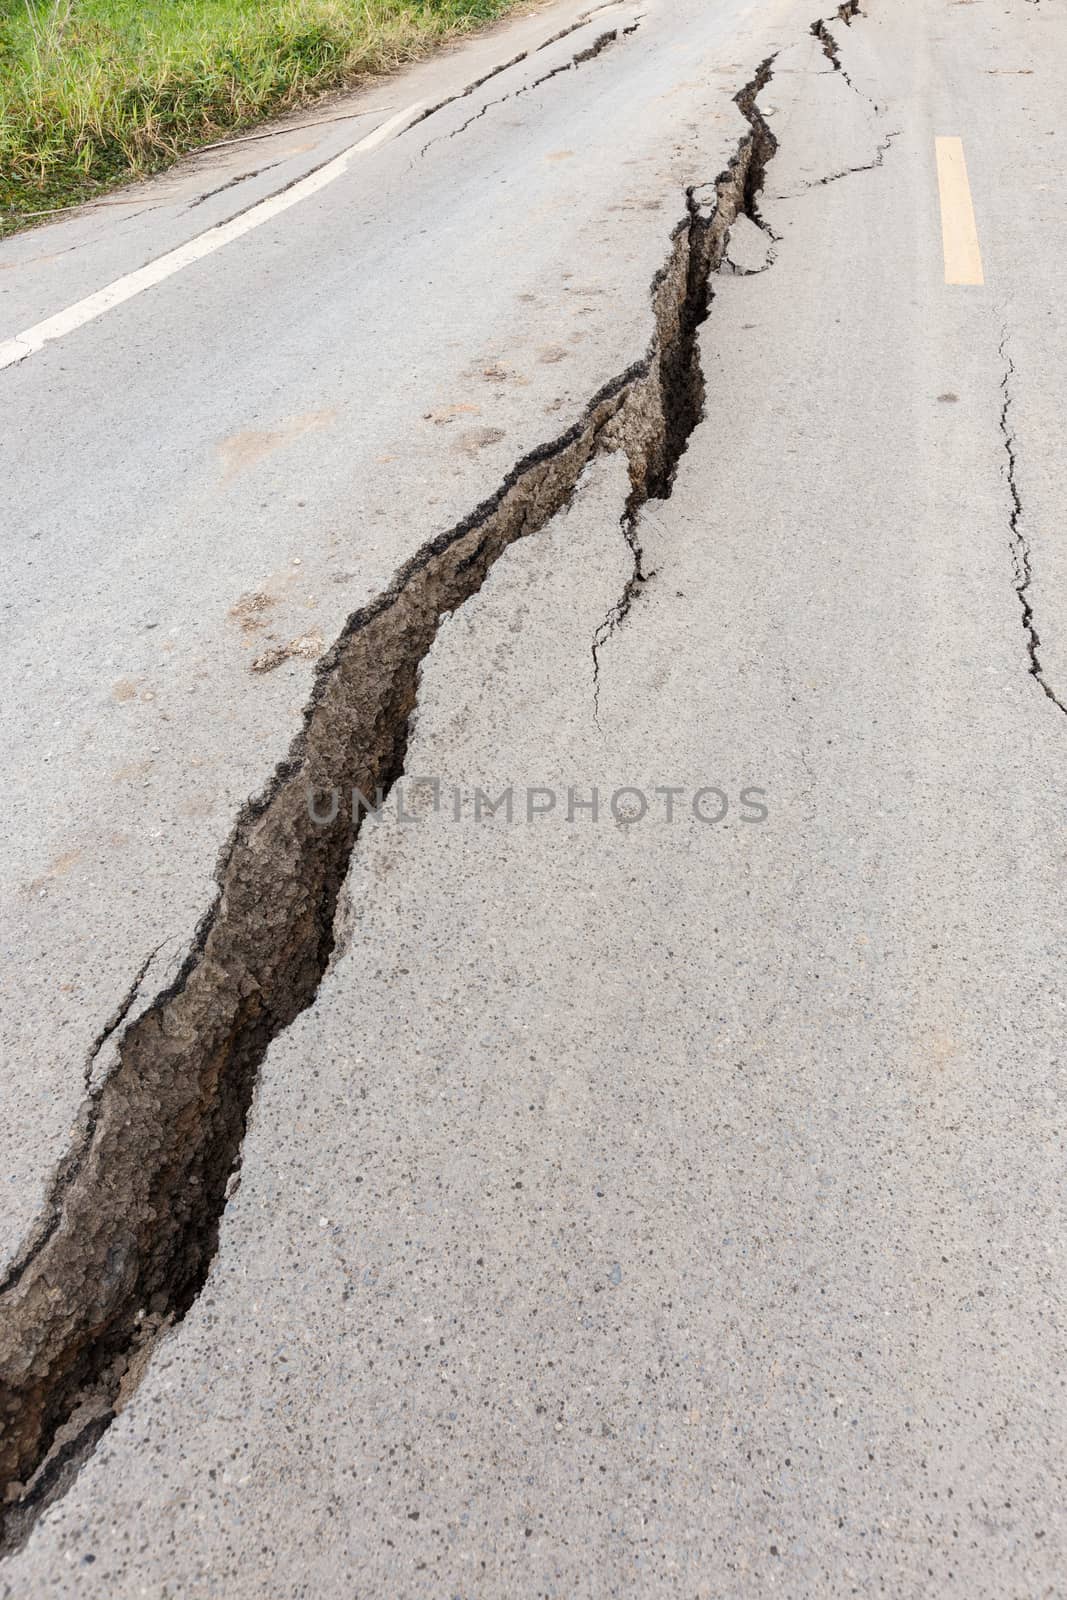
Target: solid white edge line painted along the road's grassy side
<point>42,334</point>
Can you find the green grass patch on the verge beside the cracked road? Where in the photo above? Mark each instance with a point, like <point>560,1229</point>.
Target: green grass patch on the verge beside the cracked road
<point>94,92</point>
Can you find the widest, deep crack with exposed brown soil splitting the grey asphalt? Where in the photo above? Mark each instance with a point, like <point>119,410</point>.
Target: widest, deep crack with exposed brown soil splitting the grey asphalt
<point>130,1230</point>
